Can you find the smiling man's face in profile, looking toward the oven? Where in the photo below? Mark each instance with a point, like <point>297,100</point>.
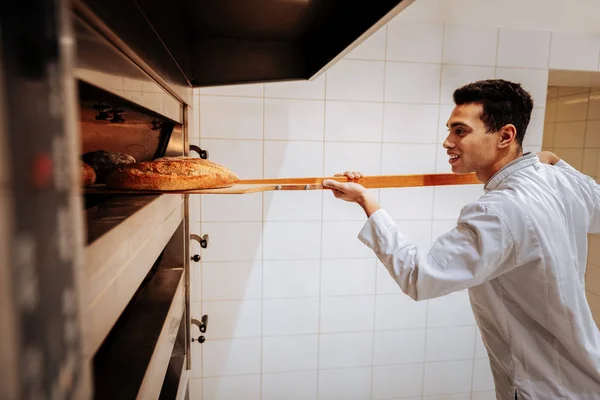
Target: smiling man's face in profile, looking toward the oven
<point>469,146</point>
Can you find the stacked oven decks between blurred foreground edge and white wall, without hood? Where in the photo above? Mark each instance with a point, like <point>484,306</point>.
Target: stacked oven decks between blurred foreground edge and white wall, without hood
<point>136,278</point>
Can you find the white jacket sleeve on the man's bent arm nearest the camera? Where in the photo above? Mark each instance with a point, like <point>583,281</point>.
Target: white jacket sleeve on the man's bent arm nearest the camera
<point>478,249</point>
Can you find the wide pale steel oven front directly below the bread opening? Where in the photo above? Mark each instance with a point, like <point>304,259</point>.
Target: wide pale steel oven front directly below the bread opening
<point>126,236</point>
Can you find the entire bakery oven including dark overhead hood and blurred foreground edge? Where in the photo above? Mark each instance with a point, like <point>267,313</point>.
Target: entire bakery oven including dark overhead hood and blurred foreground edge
<point>95,288</point>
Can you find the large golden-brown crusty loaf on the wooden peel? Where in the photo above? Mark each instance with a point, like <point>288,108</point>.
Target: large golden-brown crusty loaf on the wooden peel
<point>172,173</point>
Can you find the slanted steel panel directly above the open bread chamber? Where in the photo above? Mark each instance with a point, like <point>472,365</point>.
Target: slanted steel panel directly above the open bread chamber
<point>101,64</point>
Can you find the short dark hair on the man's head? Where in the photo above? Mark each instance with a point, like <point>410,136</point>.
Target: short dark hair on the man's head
<point>503,103</point>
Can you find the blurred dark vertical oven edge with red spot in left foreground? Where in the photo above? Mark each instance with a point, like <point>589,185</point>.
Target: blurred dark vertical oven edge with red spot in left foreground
<point>44,251</point>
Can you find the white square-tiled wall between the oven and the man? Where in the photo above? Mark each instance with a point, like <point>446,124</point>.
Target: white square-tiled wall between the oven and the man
<point>299,308</point>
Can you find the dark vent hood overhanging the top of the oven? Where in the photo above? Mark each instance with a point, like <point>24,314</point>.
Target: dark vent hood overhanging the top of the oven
<point>218,42</point>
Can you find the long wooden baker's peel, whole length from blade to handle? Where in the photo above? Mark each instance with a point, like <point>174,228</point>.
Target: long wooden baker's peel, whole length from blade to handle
<point>264,185</point>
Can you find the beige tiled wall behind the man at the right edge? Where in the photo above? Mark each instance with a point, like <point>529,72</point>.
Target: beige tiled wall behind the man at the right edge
<point>572,131</point>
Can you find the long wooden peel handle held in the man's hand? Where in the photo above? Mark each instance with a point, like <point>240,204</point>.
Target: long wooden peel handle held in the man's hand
<point>375,182</point>
